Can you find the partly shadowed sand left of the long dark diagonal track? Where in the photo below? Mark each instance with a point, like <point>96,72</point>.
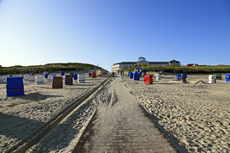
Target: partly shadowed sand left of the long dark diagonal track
<point>21,115</point>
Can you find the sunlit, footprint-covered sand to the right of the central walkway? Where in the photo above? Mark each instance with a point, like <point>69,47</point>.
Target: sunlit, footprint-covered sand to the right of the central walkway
<point>195,113</point>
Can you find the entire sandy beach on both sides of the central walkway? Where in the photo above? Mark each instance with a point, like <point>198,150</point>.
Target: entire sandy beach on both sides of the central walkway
<point>195,113</point>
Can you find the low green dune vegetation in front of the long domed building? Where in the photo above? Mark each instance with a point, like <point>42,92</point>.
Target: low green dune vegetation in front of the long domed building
<point>183,69</point>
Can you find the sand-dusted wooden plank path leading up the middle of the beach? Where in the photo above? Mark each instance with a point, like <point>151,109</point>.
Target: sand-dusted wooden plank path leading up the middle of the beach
<point>122,126</point>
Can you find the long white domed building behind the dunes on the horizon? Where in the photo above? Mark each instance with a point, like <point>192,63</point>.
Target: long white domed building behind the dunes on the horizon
<point>141,60</point>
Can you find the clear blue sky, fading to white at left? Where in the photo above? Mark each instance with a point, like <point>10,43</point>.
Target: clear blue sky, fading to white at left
<point>104,32</point>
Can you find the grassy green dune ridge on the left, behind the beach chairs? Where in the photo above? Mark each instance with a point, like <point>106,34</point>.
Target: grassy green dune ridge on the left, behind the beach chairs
<point>51,67</point>
